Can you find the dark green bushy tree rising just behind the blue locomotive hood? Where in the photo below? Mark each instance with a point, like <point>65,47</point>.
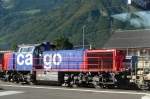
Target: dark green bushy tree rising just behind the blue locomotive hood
<point>63,43</point>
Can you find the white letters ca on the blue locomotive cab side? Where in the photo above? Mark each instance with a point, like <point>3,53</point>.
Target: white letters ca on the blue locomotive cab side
<point>24,59</point>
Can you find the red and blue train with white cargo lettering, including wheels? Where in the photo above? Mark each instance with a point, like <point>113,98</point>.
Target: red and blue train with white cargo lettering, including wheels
<point>81,67</point>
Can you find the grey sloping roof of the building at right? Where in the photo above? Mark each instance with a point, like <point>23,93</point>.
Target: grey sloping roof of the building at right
<point>129,39</point>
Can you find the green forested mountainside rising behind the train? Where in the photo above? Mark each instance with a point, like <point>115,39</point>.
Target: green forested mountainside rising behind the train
<point>33,21</point>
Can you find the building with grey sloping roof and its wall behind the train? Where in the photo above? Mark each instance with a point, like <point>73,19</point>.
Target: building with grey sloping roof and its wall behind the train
<point>132,42</point>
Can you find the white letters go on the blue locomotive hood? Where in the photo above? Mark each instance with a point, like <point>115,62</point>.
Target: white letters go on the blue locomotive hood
<point>52,59</point>
